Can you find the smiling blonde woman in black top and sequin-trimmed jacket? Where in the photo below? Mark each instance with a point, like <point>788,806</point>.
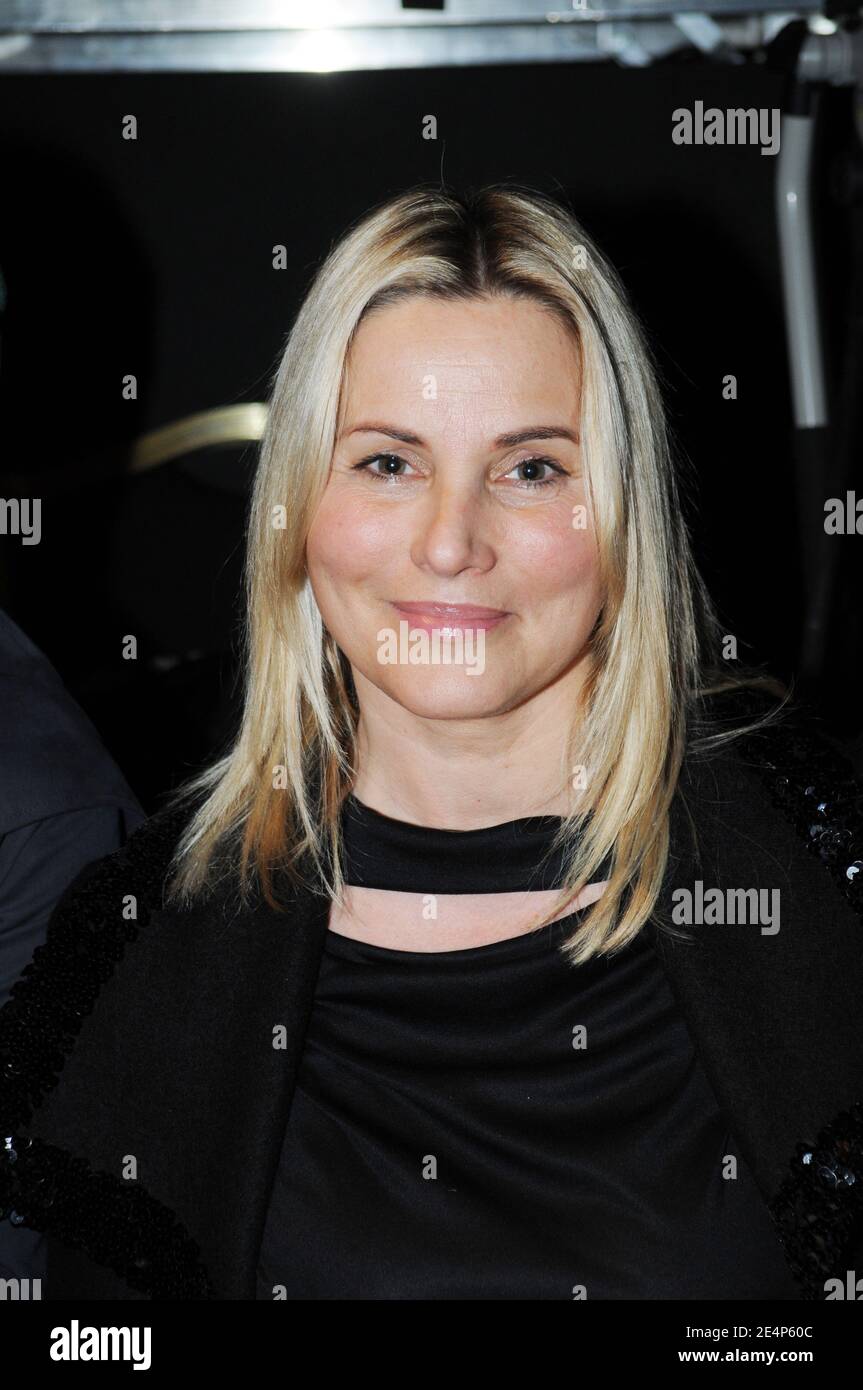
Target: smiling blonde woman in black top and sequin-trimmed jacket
<point>490,963</point>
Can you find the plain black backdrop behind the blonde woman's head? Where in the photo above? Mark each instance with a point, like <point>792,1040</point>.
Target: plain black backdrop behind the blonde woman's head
<point>155,258</point>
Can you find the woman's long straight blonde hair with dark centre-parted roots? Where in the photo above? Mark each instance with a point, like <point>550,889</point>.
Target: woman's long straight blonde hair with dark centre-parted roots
<point>273,803</point>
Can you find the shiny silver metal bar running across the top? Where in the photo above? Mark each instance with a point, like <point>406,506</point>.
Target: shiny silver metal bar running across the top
<point>368,35</point>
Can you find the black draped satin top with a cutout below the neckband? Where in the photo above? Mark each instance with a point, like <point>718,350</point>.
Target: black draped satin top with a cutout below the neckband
<point>497,1124</point>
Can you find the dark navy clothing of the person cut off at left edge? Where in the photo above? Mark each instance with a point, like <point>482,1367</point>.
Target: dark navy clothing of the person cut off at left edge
<point>63,806</point>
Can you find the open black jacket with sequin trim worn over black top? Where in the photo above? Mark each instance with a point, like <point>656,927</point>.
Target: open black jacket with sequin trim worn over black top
<point>152,1039</point>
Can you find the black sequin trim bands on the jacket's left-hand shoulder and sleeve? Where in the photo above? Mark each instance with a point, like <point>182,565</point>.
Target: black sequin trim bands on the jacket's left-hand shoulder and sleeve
<point>117,1224</point>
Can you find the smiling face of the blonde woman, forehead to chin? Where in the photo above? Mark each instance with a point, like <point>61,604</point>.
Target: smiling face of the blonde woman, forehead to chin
<point>451,512</point>
